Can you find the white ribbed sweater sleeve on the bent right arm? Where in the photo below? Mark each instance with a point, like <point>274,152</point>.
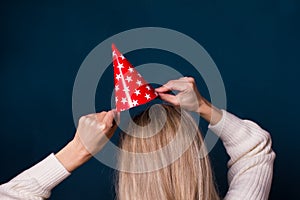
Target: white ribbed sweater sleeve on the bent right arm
<point>251,157</point>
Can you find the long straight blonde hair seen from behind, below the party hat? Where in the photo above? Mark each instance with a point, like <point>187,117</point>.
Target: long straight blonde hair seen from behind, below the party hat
<point>187,178</point>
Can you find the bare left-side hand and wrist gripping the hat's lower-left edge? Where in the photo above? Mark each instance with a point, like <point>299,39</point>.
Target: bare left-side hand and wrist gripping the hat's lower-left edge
<point>93,132</point>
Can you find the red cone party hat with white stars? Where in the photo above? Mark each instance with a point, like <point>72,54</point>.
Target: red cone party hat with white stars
<point>131,89</point>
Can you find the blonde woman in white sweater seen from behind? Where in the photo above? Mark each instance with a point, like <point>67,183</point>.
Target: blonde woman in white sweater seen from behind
<point>189,177</point>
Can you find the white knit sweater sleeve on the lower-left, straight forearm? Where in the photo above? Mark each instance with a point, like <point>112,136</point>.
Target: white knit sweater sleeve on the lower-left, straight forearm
<point>36,182</point>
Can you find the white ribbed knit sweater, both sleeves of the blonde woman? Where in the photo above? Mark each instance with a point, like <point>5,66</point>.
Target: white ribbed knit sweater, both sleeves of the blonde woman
<point>249,176</point>
